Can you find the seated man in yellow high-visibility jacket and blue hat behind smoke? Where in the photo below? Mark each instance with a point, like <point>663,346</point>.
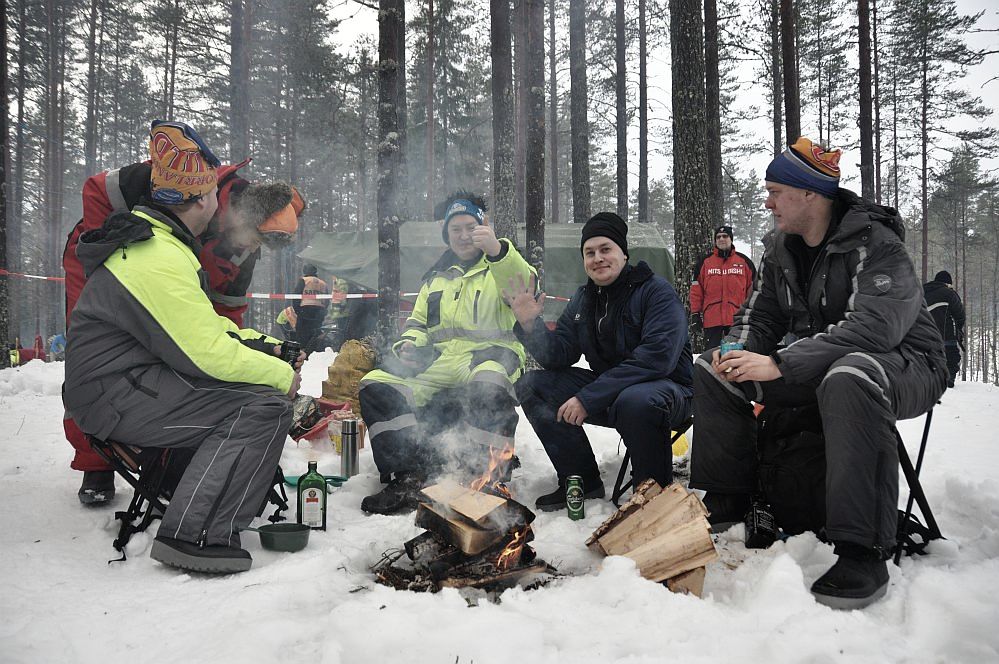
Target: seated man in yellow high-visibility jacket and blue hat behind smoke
<point>456,361</point>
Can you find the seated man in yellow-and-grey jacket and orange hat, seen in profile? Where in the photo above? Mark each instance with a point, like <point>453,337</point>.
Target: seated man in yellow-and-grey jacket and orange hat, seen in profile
<point>151,363</point>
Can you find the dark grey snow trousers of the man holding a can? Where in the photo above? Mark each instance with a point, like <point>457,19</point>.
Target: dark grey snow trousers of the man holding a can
<point>859,398</point>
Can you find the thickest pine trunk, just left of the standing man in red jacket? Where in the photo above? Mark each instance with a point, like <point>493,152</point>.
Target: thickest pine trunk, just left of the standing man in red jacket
<point>690,190</point>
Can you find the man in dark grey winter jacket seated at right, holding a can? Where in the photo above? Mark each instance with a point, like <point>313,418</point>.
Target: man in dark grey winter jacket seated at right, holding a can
<point>836,277</point>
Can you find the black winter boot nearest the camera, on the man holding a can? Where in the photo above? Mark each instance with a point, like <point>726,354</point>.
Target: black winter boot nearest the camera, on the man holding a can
<point>859,578</point>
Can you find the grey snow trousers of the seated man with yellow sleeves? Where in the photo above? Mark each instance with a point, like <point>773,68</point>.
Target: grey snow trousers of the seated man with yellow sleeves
<point>239,431</point>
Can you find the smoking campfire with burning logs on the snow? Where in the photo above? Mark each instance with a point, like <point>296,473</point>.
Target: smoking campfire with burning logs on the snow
<point>475,537</point>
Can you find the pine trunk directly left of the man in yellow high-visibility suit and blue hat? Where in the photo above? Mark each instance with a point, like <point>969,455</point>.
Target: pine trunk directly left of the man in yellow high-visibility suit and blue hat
<point>391,30</point>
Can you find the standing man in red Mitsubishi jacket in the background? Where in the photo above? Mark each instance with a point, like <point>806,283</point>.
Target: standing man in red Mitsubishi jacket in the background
<point>722,281</point>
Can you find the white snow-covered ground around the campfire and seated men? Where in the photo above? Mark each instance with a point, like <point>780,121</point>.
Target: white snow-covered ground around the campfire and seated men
<point>61,602</point>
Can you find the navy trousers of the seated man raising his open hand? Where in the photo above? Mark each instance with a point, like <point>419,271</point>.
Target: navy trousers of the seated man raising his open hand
<point>643,414</point>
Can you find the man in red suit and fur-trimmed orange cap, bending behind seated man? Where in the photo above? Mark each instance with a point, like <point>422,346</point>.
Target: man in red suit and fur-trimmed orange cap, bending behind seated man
<point>249,214</point>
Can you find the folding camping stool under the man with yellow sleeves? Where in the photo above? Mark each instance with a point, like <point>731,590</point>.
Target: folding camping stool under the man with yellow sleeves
<point>153,474</point>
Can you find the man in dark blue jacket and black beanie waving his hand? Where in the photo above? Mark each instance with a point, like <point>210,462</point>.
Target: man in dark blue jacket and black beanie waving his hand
<point>632,328</point>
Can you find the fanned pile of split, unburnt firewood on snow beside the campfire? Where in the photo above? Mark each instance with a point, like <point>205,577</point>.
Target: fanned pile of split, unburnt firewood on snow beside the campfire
<point>666,533</point>
